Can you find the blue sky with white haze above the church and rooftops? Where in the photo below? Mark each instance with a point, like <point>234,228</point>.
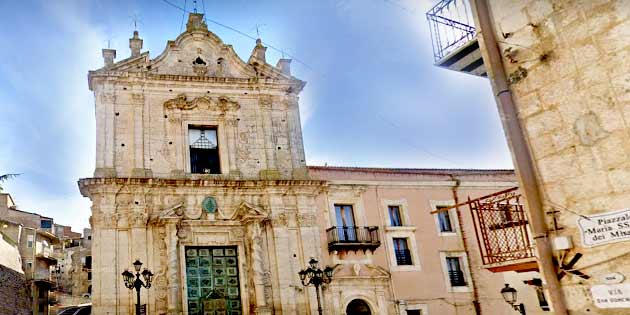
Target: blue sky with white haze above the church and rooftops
<point>373,97</point>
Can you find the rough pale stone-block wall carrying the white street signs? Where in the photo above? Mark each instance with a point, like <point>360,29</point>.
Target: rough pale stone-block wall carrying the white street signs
<point>568,63</point>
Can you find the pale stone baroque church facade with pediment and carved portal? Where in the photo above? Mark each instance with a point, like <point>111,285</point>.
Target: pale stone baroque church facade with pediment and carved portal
<point>147,204</point>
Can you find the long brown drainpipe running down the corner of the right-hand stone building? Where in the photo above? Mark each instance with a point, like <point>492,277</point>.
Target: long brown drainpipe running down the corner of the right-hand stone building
<point>521,155</point>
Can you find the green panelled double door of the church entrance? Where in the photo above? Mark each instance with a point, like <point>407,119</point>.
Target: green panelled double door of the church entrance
<point>212,281</point>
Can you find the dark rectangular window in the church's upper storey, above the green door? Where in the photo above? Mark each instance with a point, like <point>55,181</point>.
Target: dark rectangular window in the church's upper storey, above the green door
<point>204,150</point>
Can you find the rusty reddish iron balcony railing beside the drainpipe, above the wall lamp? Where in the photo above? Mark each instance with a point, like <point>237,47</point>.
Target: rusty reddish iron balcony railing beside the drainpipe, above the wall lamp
<point>502,231</point>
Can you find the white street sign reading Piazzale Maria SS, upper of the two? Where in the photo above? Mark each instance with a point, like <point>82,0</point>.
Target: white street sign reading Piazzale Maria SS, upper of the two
<point>610,227</point>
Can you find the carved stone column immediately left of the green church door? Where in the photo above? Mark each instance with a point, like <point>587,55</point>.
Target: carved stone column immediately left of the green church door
<point>174,301</point>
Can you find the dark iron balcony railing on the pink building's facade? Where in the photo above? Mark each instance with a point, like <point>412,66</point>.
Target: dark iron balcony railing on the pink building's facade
<point>353,238</point>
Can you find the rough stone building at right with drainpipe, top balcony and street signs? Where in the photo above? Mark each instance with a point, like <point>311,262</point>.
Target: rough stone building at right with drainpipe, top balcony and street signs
<point>560,73</point>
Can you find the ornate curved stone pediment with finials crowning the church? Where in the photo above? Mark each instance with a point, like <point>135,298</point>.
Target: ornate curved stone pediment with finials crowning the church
<point>198,54</point>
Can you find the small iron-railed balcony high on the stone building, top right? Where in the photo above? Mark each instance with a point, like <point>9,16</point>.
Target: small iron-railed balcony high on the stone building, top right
<point>454,37</point>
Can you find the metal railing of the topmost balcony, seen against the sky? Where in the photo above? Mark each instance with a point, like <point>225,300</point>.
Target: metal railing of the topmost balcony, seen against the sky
<point>451,24</point>
